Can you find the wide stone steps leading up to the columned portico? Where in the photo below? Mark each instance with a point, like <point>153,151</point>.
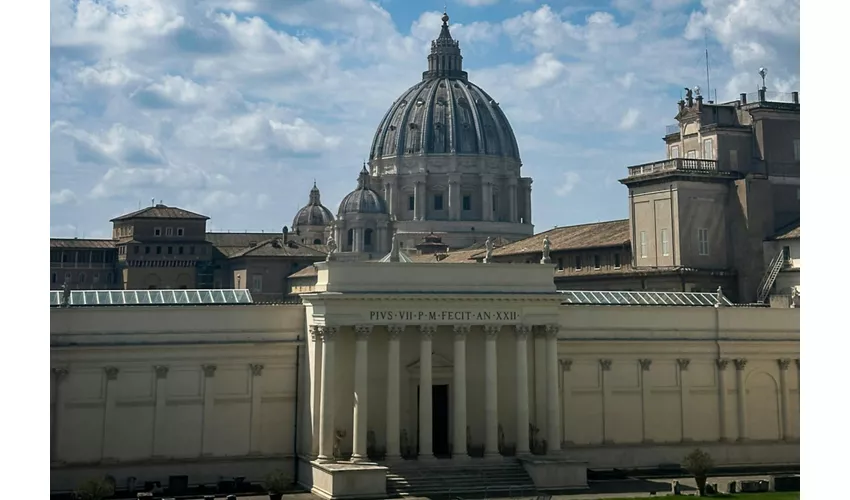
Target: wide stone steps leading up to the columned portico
<point>477,478</point>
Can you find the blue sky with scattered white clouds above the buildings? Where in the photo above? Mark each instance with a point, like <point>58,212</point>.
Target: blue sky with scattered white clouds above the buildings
<point>232,108</point>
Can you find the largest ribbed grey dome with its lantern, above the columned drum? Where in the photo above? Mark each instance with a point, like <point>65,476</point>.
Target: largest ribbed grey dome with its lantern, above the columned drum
<point>445,113</point>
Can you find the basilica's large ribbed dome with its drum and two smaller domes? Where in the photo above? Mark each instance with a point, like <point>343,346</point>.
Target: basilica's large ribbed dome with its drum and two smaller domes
<point>444,160</point>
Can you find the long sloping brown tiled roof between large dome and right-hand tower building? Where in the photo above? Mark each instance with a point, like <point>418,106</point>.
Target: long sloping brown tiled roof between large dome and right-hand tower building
<point>592,235</point>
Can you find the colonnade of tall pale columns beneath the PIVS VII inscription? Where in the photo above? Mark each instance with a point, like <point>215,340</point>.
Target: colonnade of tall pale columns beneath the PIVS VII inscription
<point>391,339</point>
